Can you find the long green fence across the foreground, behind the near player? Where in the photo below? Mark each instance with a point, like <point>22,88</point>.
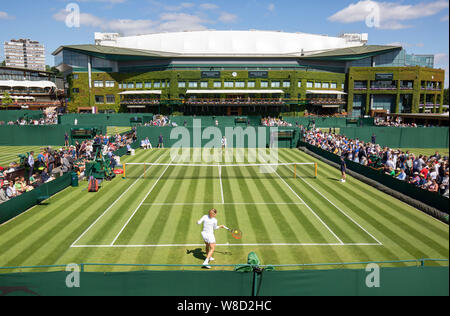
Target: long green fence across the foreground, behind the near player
<point>420,279</point>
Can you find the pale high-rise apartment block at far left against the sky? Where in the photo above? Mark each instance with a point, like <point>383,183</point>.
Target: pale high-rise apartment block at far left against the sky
<point>25,53</point>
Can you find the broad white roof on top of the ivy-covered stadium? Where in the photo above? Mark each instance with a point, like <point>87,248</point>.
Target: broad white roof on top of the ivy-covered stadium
<point>232,43</point>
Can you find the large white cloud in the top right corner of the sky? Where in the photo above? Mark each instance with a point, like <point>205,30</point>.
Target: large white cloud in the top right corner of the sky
<point>390,15</point>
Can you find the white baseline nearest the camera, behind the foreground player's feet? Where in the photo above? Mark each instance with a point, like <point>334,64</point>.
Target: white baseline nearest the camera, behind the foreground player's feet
<point>222,245</point>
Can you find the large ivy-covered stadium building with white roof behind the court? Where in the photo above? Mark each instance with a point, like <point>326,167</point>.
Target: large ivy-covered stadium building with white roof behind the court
<point>248,72</point>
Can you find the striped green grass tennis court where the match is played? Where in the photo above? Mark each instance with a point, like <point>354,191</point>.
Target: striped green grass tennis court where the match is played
<point>285,220</point>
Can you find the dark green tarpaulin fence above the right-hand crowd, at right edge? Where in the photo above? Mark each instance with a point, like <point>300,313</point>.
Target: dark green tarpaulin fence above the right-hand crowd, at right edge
<point>395,137</point>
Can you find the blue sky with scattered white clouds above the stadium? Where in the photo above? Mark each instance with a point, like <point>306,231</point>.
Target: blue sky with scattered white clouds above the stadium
<point>421,27</point>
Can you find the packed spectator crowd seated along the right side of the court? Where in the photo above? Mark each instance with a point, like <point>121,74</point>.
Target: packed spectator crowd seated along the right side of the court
<point>427,172</point>
